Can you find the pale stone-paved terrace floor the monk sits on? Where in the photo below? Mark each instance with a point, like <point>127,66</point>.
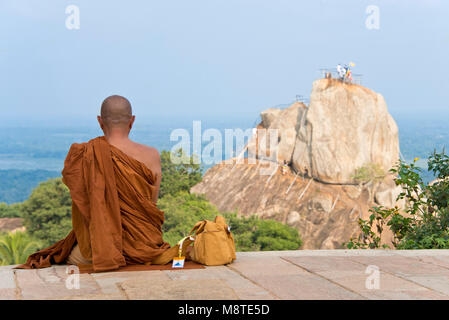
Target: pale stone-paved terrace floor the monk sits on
<point>303,274</point>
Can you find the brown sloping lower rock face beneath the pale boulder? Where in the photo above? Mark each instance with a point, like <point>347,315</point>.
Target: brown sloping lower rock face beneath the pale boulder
<point>326,215</point>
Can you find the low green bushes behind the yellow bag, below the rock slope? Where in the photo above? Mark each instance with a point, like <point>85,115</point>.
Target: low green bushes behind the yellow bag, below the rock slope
<point>183,210</point>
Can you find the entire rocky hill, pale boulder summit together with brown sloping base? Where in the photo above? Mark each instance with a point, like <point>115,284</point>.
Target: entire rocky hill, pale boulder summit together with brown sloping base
<point>346,127</point>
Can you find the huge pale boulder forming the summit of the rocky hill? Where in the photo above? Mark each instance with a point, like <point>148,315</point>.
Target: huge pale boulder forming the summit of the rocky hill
<point>345,127</point>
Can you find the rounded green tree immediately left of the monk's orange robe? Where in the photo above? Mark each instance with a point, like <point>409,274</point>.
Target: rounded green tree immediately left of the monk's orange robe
<point>47,212</point>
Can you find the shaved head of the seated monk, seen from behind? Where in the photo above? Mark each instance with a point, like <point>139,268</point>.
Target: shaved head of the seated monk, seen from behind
<point>116,111</point>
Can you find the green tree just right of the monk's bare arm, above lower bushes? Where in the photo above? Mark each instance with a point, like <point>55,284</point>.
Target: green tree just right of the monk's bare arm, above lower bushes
<point>180,174</point>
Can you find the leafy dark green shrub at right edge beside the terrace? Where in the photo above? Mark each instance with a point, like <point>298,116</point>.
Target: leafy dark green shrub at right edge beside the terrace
<point>425,222</point>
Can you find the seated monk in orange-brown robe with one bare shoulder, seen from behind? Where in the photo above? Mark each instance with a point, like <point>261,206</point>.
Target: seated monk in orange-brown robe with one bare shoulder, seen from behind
<point>114,184</point>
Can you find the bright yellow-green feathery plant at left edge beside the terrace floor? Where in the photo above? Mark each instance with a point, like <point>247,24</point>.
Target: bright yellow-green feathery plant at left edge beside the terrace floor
<point>16,247</point>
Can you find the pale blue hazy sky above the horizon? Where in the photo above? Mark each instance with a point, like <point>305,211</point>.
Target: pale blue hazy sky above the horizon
<point>209,58</point>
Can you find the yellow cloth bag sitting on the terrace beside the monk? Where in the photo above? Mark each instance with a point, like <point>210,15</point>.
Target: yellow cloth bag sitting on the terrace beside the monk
<point>213,244</point>
